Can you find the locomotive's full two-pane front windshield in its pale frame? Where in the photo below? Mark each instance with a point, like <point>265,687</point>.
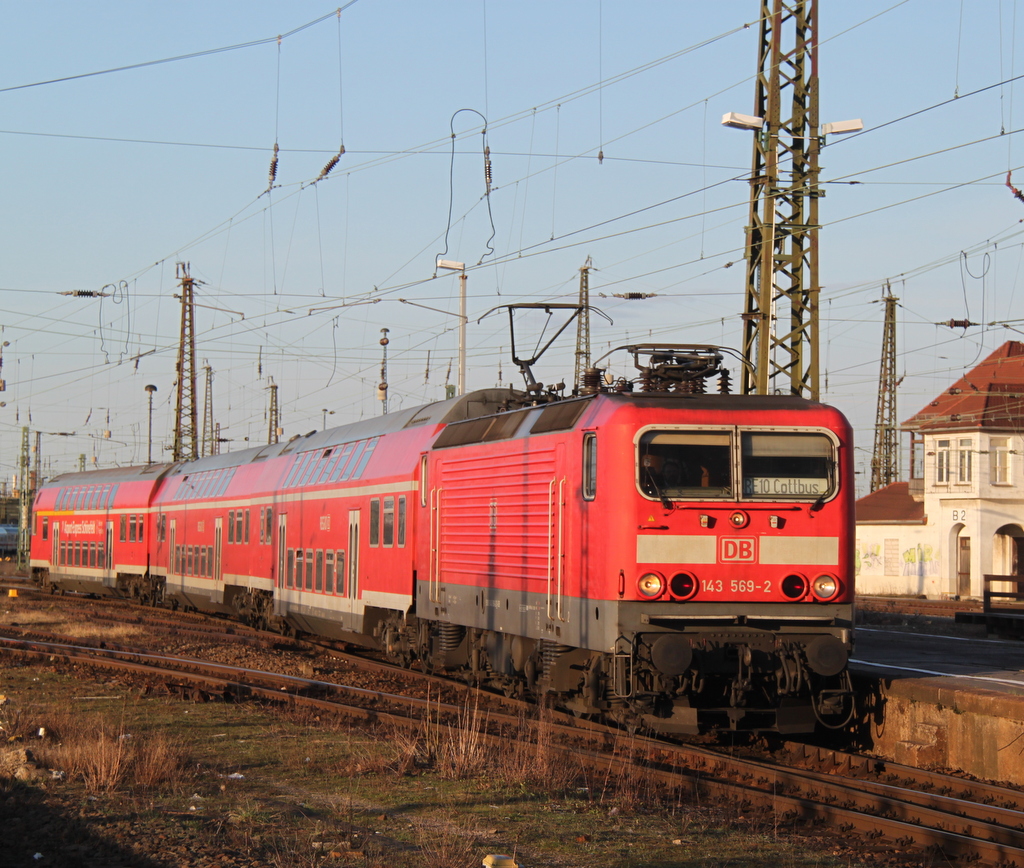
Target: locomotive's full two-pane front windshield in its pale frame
<point>774,466</point>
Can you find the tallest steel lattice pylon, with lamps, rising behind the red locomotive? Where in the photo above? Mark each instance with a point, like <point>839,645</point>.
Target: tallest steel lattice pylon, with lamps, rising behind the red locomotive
<point>781,317</point>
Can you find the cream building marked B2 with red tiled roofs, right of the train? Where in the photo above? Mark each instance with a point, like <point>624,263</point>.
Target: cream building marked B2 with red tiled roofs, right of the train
<point>962,514</point>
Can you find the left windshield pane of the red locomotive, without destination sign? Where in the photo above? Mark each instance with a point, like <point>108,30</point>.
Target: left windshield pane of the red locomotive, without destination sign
<point>686,464</point>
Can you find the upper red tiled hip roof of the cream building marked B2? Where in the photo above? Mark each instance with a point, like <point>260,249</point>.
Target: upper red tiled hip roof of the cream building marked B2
<point>991,397</point>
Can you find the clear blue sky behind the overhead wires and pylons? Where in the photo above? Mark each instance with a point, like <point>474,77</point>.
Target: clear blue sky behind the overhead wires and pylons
<point>116,178</point>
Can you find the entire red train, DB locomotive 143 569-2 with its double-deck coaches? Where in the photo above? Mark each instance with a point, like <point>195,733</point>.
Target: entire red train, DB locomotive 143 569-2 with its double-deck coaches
<point>666,558</point>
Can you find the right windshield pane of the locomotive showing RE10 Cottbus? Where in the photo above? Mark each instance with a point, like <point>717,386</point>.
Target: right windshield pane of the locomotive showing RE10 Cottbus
<point>788,466</point>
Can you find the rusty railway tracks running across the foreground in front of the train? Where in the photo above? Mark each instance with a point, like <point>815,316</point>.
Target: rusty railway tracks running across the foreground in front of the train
<point>887,806</point>
